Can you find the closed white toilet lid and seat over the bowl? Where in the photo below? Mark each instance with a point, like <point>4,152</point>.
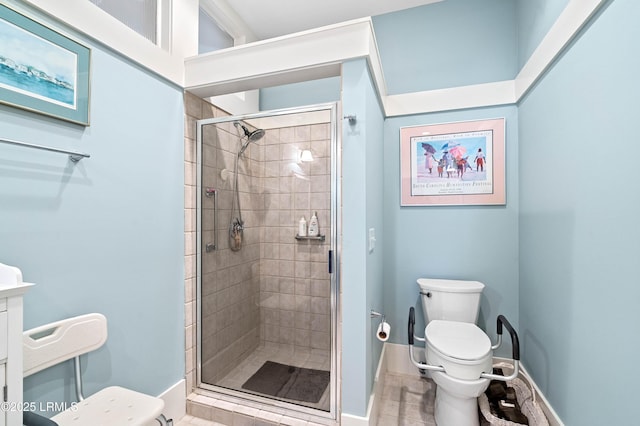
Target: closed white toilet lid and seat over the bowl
<point>463,349</point>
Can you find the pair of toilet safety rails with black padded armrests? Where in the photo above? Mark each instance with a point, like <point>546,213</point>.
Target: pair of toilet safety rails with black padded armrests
<point>501,321</point>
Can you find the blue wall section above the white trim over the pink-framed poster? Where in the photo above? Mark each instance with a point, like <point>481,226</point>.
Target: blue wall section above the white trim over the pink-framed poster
<point>448,44</point>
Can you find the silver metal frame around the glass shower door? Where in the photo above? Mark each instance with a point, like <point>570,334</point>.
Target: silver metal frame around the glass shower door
<point>236,396</point>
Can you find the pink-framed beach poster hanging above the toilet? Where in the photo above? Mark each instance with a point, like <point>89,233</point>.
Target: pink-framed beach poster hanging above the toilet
<point>453,164</point>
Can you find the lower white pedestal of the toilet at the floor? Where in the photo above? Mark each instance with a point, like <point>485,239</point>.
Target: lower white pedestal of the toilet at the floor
<point>452,410</point>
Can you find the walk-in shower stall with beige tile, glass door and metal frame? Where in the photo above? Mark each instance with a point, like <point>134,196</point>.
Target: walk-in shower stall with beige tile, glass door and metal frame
<point>267,297</point>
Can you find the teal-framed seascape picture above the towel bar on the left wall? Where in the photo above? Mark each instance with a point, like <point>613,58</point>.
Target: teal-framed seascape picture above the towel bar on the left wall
<point>42,70</point>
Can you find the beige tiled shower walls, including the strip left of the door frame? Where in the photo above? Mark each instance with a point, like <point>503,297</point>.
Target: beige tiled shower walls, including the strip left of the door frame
<point>283,296</point>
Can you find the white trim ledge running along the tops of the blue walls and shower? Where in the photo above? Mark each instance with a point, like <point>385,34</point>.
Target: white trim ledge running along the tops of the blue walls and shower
<point>303,56</point>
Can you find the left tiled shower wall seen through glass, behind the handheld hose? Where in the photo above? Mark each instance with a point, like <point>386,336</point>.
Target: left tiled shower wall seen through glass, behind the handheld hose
<point>230,279</point>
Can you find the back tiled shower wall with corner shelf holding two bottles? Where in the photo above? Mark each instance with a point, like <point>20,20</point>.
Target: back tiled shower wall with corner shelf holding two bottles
<point>295,283</point>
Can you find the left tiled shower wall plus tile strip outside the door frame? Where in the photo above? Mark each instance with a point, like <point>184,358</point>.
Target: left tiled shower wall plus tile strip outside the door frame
<point>230,280</point>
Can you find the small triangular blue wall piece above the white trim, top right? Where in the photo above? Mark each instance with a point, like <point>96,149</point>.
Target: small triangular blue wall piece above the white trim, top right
<point>535,18</point>
